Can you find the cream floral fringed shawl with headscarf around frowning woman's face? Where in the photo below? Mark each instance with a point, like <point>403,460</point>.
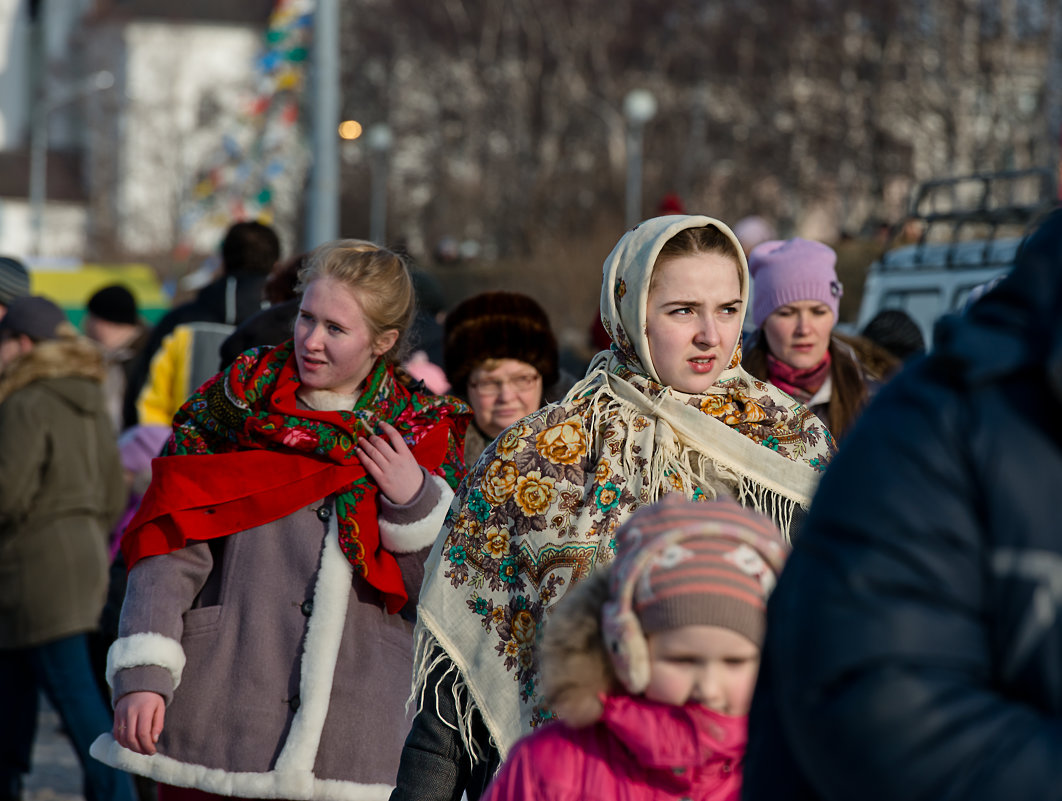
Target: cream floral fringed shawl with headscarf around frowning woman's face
<point>538,512</point>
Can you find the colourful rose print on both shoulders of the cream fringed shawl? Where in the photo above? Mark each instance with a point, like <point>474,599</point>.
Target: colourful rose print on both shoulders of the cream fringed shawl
<point>538,478</point>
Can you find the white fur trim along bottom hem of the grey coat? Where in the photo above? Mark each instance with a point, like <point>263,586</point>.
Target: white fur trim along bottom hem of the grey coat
<point>299,786</point>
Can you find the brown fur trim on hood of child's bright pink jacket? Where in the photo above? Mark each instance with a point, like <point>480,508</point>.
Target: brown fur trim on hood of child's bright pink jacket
<point>576,669</point>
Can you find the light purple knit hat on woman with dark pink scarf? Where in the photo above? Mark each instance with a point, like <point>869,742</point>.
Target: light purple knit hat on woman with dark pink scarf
<point>792,270</point>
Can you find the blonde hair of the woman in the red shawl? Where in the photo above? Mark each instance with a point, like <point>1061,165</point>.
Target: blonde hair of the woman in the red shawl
<point>379,278</point>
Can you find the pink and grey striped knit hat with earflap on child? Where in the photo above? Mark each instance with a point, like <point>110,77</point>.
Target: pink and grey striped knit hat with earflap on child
<point>686,564</point>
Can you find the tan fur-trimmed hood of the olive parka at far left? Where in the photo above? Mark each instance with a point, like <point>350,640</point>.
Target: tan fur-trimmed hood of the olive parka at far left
<point>68,357</point>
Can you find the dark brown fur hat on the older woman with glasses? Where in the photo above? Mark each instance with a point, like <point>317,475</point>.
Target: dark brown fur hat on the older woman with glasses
<point>498,326</point>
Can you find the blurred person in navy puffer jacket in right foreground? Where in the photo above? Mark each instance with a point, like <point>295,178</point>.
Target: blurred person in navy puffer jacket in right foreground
<point>915,640</point>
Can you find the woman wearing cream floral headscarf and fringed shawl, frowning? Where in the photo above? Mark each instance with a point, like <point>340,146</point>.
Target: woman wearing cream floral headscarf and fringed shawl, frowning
<point>667,410</point>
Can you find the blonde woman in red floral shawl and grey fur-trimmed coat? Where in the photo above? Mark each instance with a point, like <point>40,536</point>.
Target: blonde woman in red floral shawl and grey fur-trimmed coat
<point>266,640</point>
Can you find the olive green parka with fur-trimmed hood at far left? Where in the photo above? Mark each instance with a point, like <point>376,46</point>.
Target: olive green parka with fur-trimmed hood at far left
<point>62,492</point>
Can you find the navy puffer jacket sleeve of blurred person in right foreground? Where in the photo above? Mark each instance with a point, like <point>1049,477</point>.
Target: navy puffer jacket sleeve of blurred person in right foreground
<point>882,669</point>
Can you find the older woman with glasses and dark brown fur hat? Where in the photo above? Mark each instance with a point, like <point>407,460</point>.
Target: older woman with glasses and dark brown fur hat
<point>501,354</point>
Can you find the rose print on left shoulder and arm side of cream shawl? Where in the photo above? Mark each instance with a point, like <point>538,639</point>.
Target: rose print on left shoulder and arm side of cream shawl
<point>533,480</point>
